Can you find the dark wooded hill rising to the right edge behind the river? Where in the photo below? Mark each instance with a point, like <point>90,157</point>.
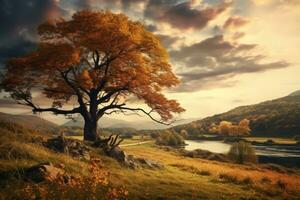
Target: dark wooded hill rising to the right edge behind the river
<point>279,117</point>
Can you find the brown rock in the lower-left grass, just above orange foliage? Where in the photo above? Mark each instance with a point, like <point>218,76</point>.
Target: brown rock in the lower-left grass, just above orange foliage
<point>43,172</point>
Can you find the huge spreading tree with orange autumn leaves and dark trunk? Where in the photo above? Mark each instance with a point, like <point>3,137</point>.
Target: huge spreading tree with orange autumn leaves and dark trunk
<point>98,60</point>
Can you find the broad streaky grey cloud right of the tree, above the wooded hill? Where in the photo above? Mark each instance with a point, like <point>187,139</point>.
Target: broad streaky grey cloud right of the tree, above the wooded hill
<point>215,59</point>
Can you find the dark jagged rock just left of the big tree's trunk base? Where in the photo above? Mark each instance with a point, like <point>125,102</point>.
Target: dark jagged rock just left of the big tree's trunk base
<point>74,148</point>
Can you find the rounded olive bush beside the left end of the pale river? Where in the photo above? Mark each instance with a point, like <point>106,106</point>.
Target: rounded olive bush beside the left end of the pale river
<point>169,138</point>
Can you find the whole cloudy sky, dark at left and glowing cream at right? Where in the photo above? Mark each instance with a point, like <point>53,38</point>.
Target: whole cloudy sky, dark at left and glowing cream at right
<point>227,53</point>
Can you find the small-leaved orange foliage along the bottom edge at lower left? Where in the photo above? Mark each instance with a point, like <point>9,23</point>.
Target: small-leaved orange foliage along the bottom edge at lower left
<point>94,186</point>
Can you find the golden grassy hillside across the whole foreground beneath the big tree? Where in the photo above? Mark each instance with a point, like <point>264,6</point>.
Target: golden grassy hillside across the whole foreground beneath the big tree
<point>181,178</point>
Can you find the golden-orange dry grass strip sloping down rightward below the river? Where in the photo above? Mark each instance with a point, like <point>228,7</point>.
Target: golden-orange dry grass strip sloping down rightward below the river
<point>287,183</point>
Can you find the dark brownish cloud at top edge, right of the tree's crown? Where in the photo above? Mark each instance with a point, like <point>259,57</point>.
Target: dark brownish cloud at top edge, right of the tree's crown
<point>182,15</point>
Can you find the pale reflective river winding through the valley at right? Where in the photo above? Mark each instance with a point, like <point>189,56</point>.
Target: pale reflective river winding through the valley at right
<point>278,154</point>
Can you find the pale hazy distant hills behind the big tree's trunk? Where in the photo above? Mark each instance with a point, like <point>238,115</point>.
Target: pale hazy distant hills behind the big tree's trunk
<point>111,123</point>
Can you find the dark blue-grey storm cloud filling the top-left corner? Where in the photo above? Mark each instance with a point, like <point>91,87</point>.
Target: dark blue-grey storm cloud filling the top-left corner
<point>19,20</point>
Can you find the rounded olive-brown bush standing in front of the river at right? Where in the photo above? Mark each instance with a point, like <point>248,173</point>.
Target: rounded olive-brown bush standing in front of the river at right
<point>242,152</point>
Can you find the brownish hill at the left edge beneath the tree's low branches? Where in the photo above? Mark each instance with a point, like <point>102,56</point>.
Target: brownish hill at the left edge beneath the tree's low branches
<point>30,122</point>
